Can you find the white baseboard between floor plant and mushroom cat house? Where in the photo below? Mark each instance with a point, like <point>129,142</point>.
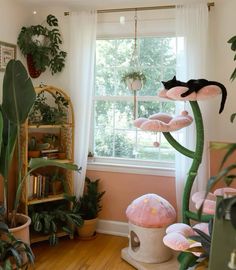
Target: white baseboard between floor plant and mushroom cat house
<point>113,227</point>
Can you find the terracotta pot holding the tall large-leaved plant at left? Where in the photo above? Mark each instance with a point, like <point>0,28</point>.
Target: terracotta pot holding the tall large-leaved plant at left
<point>22,232</point>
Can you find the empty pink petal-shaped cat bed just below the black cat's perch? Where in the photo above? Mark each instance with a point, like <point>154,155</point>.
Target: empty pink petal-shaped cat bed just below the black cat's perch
<point>161,122</point>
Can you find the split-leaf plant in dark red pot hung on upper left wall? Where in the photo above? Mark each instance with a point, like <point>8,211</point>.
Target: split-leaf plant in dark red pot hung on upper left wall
<point>41,45</point>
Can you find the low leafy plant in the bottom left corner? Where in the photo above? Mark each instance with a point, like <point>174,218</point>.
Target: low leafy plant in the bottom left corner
<point>14,253</point>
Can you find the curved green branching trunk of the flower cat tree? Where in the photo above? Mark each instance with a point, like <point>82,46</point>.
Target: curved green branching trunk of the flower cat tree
<point>196,155</point>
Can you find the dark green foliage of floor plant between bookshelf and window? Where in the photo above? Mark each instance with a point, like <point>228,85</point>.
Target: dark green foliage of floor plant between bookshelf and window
<point>90,203</point>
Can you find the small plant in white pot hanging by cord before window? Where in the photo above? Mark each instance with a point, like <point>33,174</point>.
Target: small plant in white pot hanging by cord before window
<point>134,78</point>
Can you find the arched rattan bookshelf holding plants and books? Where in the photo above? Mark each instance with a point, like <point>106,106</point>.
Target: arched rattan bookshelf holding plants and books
<point>50,137</point>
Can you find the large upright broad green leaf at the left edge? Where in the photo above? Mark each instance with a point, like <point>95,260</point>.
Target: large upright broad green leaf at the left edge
<point>18,92</point>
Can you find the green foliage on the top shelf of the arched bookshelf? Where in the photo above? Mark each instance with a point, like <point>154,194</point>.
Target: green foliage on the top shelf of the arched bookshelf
<point>43,113</point>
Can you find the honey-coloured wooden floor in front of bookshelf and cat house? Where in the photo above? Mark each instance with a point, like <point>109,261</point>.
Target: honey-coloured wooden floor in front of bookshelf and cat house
<point>102,253</point>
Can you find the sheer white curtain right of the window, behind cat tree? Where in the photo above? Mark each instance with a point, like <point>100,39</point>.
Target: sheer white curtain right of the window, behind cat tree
<point>192,40</point>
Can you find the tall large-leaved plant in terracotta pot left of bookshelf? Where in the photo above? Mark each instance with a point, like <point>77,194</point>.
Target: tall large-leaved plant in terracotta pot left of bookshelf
<point>18,98</point>
